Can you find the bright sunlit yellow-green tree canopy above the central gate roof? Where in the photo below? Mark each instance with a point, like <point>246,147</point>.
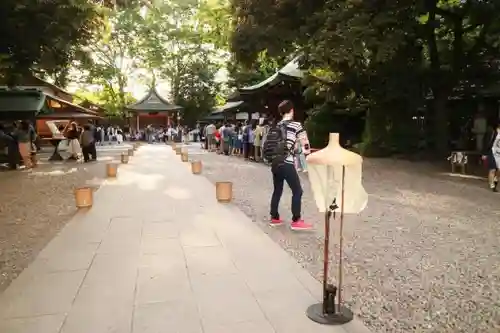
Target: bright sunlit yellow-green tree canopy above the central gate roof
<point>175,43</point>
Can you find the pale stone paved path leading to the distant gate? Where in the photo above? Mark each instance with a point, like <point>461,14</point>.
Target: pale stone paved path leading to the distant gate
<point>156,254</point>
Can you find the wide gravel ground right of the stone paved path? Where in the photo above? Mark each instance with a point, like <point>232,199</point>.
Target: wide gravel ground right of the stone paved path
<point>423,257</point>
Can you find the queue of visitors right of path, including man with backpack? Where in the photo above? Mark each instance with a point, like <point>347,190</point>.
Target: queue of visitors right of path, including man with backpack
<point>283,145</point>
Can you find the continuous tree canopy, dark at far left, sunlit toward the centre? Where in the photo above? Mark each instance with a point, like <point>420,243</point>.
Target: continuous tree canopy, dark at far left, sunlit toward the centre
<point>106,47</point>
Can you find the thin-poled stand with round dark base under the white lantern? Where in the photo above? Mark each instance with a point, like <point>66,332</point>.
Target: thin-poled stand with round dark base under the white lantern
<point>331,312</point>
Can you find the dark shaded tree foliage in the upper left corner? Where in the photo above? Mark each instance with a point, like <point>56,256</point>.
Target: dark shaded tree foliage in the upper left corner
<point>44,36</point>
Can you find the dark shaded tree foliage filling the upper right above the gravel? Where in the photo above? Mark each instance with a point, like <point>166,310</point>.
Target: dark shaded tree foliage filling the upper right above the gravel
<point>437,47</point>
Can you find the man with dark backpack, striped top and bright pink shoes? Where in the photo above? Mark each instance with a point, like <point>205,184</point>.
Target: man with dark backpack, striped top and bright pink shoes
<point>278,149</point>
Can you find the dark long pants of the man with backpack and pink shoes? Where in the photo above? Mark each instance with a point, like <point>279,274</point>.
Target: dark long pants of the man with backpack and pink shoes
<point>281,173</point>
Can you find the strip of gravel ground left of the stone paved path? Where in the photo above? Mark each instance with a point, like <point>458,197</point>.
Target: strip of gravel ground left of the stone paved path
<point>35,205</point>
